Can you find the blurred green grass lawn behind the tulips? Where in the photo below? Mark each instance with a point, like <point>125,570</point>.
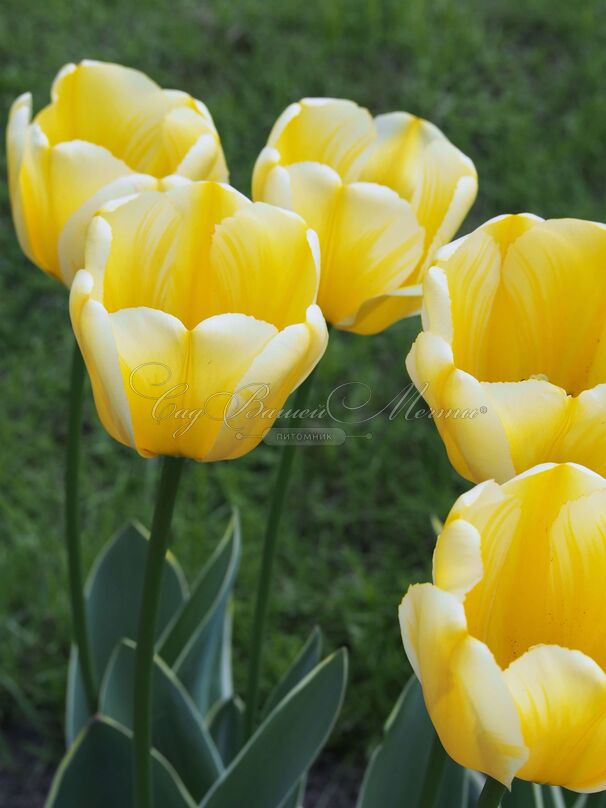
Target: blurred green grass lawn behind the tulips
<point>519,87</point>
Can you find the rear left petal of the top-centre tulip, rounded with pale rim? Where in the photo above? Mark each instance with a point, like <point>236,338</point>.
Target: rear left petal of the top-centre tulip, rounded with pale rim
<point>332,131</point>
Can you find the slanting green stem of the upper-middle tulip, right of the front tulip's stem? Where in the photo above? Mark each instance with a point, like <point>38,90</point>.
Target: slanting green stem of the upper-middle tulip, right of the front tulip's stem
<point>270,544</point>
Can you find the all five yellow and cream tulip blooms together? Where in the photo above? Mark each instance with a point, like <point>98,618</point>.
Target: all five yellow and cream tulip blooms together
<point>185,295</point>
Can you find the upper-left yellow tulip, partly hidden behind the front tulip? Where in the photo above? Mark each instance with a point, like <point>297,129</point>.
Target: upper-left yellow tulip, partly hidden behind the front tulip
<point>109,131</point>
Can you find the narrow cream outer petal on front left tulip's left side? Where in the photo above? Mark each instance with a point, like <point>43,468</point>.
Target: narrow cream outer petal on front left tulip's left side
<point>93,330</point>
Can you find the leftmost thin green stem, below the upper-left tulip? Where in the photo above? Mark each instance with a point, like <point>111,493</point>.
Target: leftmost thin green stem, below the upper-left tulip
<point>72,530</point>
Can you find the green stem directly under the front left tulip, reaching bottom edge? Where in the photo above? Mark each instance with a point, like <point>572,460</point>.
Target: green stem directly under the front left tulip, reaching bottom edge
<point>154,567</point>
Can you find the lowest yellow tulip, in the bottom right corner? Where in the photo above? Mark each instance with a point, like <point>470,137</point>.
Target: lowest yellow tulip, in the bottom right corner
<point>508,642</point>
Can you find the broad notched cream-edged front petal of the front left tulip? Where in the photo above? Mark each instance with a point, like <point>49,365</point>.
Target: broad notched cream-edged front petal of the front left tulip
<point>179,383</point>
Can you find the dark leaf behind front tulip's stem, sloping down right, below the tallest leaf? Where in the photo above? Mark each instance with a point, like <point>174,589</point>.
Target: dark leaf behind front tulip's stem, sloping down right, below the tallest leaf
<point>178,731</point>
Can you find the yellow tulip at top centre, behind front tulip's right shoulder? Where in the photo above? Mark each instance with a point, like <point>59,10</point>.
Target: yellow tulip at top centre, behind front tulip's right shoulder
<point>383,195</point>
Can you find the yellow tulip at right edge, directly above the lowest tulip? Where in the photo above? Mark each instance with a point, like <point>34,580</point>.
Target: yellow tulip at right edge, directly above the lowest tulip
<point>512,358</point>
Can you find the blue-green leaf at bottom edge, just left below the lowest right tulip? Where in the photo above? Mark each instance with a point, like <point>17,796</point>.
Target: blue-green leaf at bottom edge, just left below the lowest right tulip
<point>396,771</point>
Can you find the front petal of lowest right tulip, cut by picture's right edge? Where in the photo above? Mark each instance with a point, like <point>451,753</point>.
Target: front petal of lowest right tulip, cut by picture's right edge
<point>561,698</point>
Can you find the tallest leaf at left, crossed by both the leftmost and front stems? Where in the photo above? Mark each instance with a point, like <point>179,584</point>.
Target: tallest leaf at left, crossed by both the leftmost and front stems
<point>113,594</point>
